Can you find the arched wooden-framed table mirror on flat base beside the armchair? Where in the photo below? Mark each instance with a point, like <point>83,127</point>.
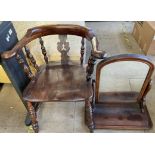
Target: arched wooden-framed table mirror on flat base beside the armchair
<point>116,109</point>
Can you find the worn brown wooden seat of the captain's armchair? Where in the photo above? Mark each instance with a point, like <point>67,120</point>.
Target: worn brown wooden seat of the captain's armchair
<point>58,83</point>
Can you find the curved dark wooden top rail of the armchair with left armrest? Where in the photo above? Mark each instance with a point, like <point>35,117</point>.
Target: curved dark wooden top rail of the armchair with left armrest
<point>45,30</point>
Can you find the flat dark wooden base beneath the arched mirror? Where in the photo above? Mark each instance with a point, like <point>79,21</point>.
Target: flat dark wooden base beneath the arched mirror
<point>119,116</point>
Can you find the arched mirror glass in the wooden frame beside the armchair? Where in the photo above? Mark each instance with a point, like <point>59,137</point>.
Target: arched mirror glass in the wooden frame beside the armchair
<point>122,76</point>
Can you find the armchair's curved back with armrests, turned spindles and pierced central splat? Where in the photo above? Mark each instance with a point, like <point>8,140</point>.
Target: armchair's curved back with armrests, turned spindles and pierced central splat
<point>62,46</point>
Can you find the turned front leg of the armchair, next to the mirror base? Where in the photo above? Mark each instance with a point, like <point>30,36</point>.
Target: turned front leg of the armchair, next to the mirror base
<point>89,116</point>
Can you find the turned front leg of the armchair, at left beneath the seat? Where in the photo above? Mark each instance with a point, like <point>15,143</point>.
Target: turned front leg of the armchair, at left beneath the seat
<point>33,116</point>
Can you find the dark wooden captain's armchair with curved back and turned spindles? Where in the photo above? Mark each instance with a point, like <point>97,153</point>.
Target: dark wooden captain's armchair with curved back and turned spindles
<point>64,81</point>
